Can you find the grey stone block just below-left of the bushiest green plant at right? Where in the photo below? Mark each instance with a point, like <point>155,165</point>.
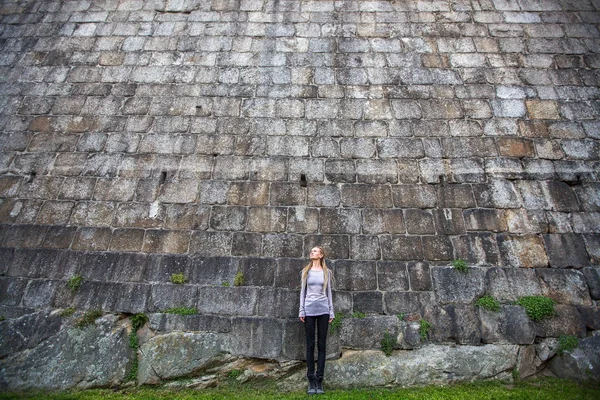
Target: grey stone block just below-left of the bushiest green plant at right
<point>509,325</point>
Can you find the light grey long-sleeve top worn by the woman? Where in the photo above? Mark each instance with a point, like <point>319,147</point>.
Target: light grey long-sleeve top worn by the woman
<point>313,301</point>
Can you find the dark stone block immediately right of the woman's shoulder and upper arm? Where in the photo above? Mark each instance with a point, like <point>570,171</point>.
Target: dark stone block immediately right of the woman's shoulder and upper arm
<point>355,275</point>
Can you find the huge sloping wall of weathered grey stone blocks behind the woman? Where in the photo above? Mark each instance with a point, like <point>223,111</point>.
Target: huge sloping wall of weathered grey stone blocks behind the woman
<point>145,138</point>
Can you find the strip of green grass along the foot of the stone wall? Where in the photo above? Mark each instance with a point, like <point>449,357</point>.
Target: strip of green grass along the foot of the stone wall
<point>546,389</point>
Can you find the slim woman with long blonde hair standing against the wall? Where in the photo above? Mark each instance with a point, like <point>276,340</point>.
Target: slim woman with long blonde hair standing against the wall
<point>316,309</point>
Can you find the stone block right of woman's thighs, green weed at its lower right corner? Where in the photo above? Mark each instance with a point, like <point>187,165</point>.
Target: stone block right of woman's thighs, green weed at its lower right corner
<point>366,333</point>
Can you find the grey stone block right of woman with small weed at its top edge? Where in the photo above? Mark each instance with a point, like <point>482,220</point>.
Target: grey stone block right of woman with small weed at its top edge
<point>452,286</point>
